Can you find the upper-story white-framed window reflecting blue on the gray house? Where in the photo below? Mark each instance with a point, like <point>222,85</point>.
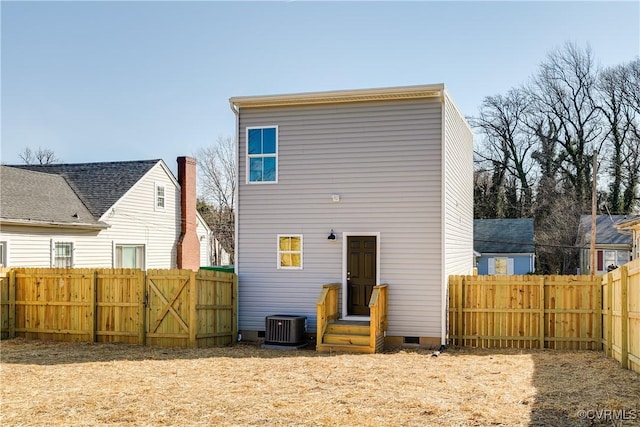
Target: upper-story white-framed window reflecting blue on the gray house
<point>262,154</point>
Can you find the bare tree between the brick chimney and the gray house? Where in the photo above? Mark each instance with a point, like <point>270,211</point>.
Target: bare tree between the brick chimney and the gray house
<point>218,182</point>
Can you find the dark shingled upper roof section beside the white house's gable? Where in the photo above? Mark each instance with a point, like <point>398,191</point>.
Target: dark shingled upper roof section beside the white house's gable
<point>98,185</point>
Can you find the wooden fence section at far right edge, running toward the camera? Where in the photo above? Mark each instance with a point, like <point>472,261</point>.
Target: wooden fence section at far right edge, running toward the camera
<point>621,315</point>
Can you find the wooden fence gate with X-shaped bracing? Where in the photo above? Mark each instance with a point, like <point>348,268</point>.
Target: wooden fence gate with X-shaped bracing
<point>171,308</point>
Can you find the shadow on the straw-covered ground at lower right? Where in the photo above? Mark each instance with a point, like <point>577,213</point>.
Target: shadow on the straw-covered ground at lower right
<point>573,388</point>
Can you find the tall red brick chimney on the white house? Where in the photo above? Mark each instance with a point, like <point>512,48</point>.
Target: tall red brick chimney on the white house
<point>188,244</point>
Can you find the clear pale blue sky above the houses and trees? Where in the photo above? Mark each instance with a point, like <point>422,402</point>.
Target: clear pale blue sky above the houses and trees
<point>105,81</point>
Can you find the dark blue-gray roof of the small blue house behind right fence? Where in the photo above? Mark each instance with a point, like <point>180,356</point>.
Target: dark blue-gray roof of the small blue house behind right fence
<point>503,235</point>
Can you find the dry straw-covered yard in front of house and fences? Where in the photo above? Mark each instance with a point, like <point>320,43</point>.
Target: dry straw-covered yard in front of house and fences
<point>47,383</point>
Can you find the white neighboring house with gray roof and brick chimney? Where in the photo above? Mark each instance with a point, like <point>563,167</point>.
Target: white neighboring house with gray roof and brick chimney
<point>109,214</point>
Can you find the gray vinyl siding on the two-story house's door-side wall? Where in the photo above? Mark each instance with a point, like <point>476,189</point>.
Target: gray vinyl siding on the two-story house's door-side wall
<point>384,160</point>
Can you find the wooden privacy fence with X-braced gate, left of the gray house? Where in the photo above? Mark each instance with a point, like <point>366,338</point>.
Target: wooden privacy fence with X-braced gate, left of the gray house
<point>172,308</point>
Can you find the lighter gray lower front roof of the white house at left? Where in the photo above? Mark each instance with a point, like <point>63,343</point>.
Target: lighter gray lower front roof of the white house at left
<point>35,198</point>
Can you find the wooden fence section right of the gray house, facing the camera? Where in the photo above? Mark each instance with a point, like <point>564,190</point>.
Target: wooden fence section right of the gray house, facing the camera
<point>558,312</point>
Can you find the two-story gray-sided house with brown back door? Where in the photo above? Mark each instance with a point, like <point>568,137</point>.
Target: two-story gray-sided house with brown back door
<point>357,187</point>
